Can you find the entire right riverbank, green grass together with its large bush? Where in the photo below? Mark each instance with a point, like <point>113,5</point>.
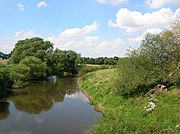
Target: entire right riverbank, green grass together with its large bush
<point>120,93</point>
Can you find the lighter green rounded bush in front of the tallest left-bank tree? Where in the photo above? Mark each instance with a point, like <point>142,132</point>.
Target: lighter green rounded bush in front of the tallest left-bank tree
<point>28,68</point>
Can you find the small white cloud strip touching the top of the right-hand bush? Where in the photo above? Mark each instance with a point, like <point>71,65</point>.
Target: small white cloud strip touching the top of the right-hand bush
<point>138,39</point>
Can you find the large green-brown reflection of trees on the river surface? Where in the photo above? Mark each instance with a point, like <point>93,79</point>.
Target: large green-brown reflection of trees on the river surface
<point>40,96</point>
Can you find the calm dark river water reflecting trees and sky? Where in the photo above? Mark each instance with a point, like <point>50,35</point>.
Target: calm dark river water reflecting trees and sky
<point>48,107</point>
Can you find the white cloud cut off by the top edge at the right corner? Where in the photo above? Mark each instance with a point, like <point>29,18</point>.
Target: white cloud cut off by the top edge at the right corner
<point>160,3</point>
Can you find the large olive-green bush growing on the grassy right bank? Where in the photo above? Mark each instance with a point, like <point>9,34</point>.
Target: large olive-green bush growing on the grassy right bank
<point>156,62</point>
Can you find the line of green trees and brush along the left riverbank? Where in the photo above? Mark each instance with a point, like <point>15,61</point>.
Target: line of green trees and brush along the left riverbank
<point>36,59</point>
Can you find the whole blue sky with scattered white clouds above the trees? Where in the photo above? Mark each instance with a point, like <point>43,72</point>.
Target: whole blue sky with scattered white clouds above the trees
<point>94,28</point>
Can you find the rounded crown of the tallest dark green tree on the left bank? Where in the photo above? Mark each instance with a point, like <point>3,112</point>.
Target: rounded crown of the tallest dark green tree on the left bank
<point>32,47</point>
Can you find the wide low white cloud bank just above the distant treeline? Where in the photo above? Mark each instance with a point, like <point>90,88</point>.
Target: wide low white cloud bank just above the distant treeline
<point>85,41</point>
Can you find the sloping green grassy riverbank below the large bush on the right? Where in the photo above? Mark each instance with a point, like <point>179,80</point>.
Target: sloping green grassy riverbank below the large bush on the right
<point>129,116</point>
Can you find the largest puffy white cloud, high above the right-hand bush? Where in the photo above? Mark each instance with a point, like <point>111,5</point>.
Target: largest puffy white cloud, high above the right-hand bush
<point>135,21</point>
